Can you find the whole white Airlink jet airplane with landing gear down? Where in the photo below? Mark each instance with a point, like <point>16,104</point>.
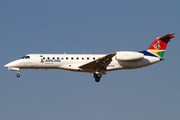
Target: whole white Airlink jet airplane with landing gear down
<point>97,64</point>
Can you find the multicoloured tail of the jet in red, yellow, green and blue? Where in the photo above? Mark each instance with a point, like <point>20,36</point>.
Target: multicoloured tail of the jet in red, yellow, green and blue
<point>158,47</point>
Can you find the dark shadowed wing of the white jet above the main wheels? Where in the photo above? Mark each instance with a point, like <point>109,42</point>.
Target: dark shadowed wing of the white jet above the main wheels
<point>102,62</point>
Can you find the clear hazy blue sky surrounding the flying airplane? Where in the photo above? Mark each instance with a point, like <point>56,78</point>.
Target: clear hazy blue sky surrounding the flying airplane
<point>102,27</point>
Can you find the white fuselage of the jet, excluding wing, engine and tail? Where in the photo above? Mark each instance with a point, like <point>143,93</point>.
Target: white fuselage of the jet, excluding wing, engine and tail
<point>73,61</point>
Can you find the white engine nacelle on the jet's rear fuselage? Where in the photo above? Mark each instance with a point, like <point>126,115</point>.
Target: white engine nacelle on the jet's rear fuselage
<point>129,56</point>
